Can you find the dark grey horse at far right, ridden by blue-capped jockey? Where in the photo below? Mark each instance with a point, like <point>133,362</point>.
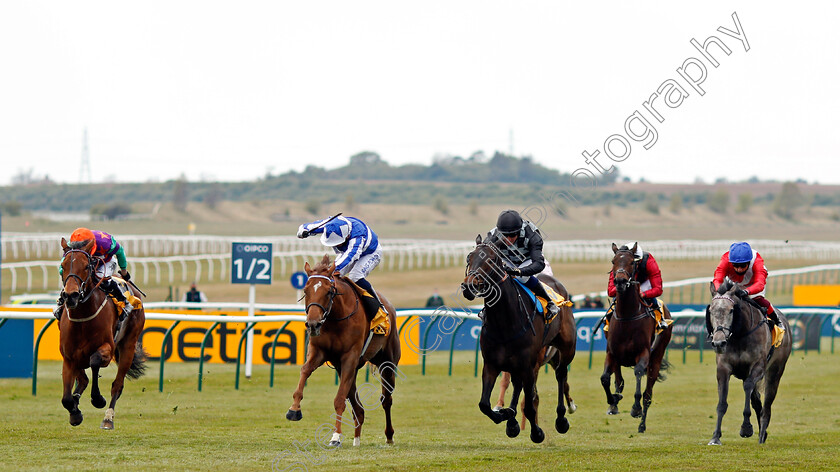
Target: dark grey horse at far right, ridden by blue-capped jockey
<point>742,341</point>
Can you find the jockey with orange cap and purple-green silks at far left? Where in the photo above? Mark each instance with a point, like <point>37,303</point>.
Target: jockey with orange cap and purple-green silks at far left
<point>110,255</point>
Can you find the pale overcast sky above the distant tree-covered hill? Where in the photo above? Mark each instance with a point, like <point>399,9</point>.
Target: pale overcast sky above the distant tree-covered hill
<point>232,90</point>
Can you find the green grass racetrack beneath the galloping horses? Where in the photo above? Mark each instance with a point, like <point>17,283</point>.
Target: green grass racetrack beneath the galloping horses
<point>436,418</point>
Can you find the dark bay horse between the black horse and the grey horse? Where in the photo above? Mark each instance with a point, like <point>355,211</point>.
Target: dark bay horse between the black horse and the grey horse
<point>631,339</point>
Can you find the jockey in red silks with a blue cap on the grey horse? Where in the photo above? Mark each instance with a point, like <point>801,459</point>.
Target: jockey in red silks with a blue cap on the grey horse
<point>745,266</point>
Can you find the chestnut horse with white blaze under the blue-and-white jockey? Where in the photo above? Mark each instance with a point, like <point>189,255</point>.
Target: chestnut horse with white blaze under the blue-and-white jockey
<point>338,328</point>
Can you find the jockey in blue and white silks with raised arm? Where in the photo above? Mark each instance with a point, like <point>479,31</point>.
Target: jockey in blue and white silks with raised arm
<point>356,246</point>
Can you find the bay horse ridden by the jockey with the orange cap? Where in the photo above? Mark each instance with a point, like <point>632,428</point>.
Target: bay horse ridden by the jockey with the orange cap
<point>87,327</point>
